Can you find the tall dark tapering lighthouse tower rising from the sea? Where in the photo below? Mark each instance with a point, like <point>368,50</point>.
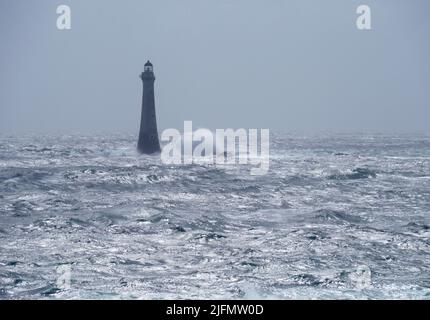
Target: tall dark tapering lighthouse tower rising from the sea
<point>148,135</point>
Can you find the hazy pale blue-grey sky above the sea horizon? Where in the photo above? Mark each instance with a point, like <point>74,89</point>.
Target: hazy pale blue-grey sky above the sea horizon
<point>294,65</point>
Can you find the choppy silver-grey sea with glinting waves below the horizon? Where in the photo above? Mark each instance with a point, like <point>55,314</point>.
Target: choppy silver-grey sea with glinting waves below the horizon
<point>337,216</point>
